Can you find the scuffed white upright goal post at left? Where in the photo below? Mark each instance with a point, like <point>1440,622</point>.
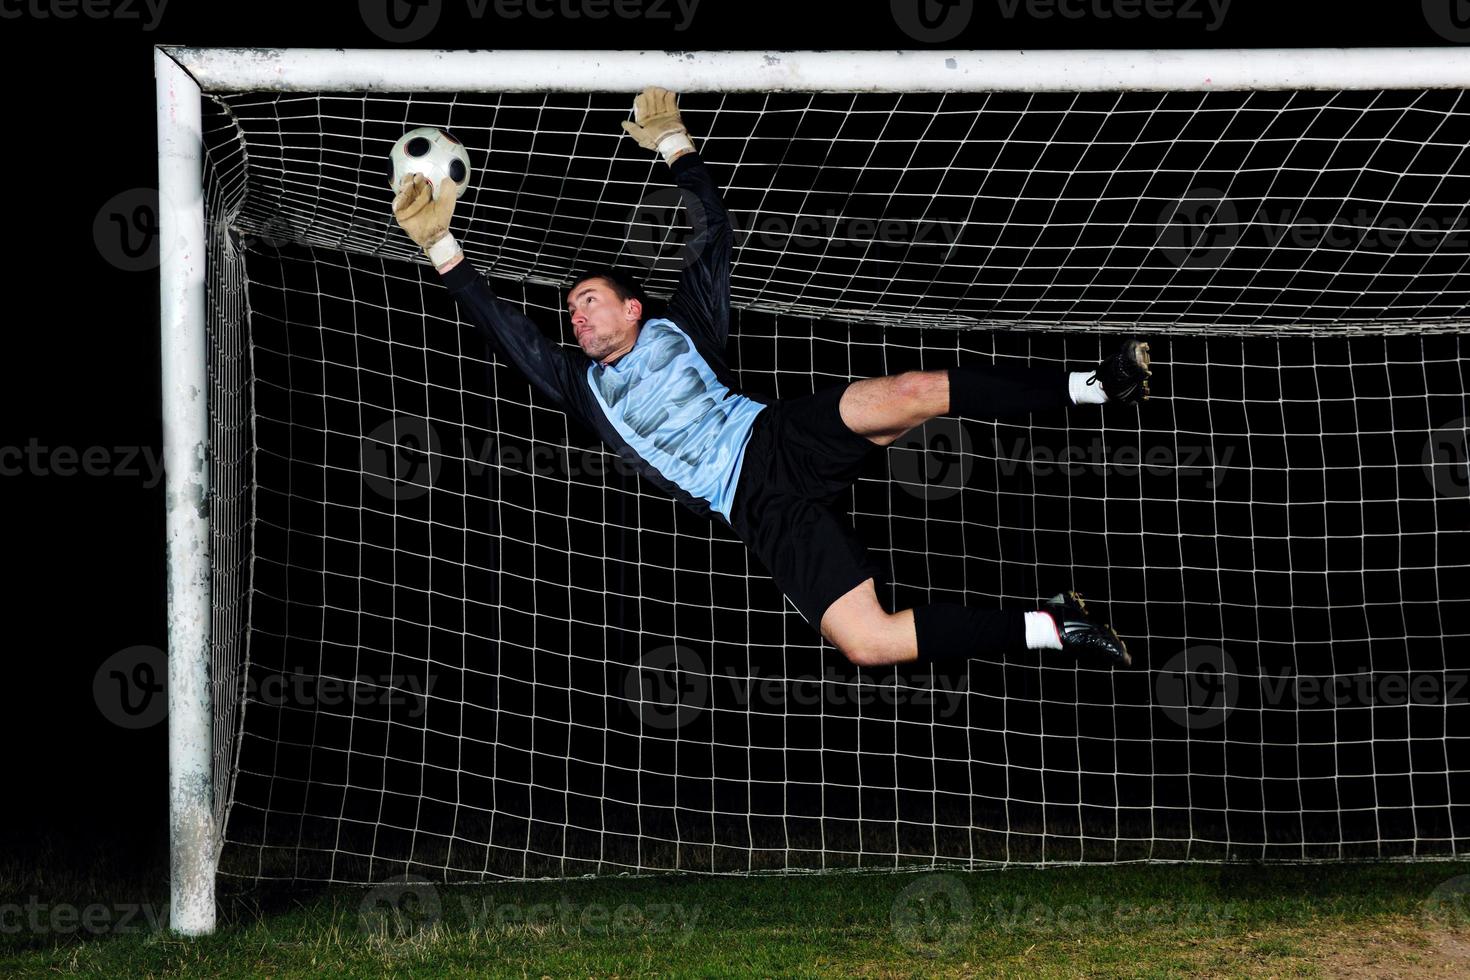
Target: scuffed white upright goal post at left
<point>193,837</point>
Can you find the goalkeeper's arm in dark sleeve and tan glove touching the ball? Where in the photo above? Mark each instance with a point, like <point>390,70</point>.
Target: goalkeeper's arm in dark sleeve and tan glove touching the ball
<point>506,330</point>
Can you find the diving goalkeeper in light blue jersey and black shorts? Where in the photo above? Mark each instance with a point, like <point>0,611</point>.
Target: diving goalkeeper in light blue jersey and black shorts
<point>658,392</point>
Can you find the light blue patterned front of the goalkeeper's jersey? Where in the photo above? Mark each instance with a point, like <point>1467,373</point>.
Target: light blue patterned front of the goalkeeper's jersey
<point>667,403</point>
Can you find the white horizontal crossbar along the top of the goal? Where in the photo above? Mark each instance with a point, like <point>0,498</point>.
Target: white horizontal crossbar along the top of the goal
<point>1065,71</point>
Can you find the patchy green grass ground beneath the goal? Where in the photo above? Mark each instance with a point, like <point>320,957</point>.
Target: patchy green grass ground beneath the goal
<point>1136,920</point>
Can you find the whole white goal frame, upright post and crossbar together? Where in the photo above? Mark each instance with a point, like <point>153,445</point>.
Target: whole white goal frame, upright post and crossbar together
<point>186,76</point>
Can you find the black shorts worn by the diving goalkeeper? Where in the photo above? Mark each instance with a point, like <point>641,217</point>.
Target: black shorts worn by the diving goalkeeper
<point>800,456</point>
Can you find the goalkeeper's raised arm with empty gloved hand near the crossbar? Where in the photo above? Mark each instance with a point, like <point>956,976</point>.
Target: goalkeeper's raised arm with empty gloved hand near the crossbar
<point>703,298</point>
